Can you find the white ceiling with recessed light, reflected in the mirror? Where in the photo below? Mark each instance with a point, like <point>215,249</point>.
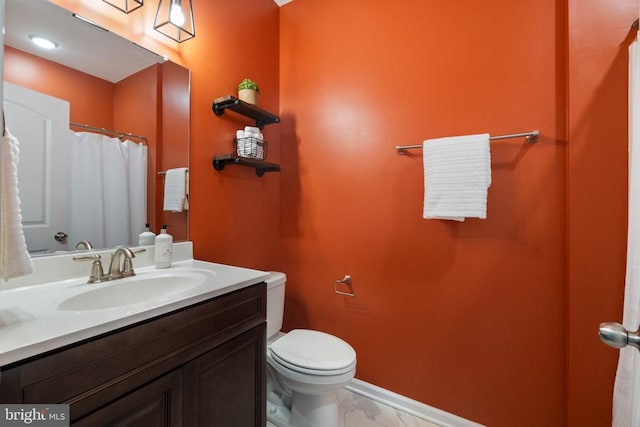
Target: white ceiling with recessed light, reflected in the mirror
<point>82,46</point>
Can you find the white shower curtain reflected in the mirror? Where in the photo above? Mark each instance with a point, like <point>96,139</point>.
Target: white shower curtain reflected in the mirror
<point>108,190</point>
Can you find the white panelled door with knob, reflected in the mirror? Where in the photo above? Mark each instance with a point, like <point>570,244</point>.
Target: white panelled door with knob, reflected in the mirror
<point>41,124</point>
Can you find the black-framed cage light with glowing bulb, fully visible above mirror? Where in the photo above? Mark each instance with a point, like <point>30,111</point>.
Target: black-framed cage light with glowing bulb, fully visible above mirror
<point>174,19</point>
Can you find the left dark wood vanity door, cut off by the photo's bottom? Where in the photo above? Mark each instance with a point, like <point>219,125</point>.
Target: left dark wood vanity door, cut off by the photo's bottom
<point>158,404</point>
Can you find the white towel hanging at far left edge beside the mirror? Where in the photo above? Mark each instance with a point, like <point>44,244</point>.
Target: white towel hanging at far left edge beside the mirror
<point>14,257</point>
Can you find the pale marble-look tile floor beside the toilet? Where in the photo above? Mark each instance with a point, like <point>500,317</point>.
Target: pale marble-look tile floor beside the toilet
<point>359,411</point>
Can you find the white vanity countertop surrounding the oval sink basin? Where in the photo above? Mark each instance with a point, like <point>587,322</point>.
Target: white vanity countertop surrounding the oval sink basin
<point>32,321</point>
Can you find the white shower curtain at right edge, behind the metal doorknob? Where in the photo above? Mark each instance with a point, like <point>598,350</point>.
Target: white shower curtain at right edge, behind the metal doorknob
<point>626,393</point>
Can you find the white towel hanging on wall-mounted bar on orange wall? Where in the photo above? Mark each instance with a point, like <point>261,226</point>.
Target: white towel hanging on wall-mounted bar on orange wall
<point>457,175</point>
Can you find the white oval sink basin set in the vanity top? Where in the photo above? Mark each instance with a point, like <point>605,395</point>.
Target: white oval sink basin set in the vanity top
<point>134,290</point>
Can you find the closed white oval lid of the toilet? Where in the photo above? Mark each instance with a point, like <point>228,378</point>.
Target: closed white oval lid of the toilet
<point>314,350</point>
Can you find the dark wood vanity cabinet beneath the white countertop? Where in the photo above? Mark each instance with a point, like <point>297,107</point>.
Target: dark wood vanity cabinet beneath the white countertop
<point>203,365</point>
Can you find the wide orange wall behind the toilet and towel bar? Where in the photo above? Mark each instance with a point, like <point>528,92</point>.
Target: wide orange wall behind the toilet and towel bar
<point>467,317</point>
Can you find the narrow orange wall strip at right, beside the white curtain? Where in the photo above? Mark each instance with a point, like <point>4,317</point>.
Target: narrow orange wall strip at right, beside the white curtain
<point>597,199</point>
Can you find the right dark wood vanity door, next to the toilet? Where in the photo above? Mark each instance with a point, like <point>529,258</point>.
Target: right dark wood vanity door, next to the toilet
<point>225,387</point>
